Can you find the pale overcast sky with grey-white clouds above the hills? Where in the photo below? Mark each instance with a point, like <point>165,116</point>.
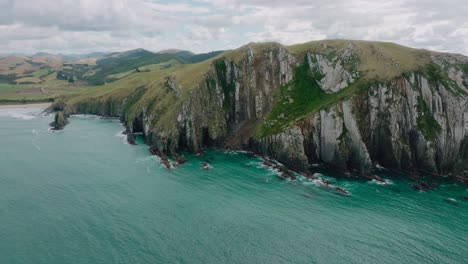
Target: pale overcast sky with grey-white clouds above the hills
<point>81,26</point>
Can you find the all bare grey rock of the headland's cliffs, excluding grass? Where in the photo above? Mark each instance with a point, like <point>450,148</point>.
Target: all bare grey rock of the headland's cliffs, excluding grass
<point>411,122</point>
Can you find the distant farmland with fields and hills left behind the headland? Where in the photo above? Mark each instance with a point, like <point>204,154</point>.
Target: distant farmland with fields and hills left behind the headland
<point>45,76</point>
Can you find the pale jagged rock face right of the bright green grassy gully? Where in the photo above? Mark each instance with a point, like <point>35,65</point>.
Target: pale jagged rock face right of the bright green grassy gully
<point>381,126</point>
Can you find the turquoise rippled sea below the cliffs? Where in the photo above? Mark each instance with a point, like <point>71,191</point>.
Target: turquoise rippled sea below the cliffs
<point>83,195</point>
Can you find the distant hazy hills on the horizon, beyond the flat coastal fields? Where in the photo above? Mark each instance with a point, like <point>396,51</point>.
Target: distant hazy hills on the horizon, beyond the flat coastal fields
<point>93,68</point>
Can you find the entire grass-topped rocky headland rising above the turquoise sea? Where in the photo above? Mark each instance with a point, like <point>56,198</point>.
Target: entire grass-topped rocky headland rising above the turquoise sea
<point>348,105</point>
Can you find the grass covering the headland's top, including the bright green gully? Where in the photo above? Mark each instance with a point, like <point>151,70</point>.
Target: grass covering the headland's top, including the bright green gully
<point>374,61</point>
